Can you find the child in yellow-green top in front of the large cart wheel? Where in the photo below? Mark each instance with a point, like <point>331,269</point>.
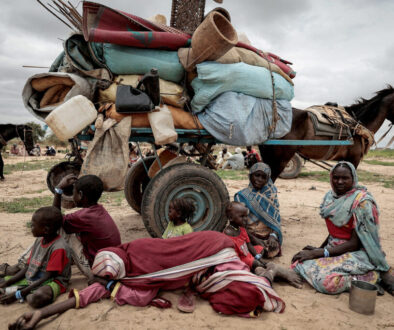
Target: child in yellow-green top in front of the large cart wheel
<point>180,212</point>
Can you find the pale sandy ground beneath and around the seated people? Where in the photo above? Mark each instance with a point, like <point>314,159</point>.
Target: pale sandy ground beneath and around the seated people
<point>305,308</point>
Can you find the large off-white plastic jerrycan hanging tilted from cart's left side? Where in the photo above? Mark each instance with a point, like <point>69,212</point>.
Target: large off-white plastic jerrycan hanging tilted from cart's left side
<point>71,117</point>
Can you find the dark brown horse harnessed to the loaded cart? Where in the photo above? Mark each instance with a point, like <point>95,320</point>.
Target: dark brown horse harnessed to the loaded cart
<point>370,113</point>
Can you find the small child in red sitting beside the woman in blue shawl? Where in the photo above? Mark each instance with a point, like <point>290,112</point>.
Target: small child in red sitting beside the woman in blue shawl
<point>237,215</point>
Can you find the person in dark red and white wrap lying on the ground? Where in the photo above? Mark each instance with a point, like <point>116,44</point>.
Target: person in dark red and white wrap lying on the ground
<point>135,272</point>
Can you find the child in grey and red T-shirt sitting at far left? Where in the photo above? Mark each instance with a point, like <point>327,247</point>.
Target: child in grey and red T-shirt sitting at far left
<point>48,268</point>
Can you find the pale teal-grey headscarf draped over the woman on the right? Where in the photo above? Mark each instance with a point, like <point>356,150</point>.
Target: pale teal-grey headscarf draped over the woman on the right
<point>340,209</point>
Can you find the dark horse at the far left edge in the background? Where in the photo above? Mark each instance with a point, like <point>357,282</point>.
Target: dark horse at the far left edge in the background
<point>8,132</point>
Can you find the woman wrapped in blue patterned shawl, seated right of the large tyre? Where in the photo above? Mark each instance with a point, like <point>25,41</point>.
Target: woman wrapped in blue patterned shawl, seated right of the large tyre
<point>261,198</point>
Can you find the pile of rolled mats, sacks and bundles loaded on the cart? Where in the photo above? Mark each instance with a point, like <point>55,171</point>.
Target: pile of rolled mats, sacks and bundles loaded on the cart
<point>209,73</point>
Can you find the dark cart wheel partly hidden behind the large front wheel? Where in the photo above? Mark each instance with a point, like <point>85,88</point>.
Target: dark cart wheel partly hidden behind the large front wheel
<point>136,181</point>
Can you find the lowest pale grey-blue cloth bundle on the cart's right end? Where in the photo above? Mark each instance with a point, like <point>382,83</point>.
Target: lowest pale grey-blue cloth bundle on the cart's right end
<point>240,120</point>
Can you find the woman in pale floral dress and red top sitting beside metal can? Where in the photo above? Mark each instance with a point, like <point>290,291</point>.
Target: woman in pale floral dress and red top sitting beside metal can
<point>352,249</point>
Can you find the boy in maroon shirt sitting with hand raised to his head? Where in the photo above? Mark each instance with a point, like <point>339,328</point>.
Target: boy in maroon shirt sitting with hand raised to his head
<point>93,227</point>
